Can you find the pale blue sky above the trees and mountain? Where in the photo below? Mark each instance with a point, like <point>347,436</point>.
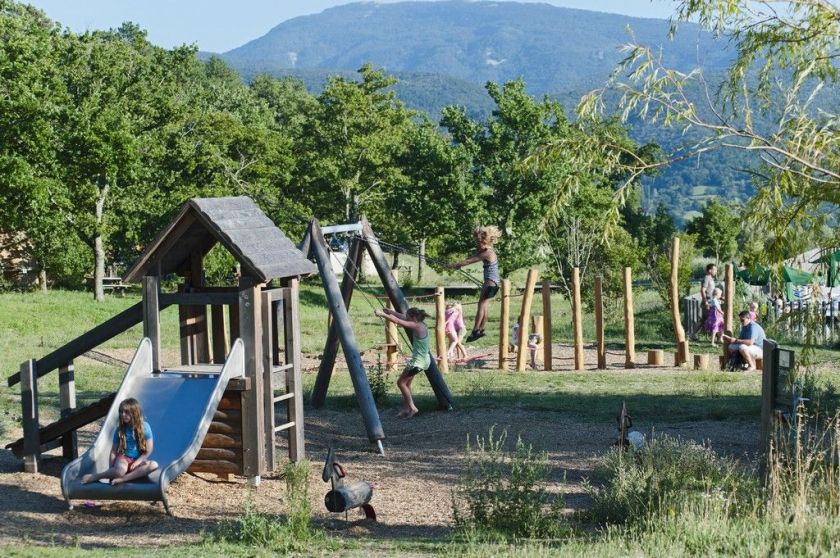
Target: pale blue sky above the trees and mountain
<point>221,25</point>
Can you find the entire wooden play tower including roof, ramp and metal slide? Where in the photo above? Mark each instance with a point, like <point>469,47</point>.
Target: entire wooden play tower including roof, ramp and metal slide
<point>260,349</point>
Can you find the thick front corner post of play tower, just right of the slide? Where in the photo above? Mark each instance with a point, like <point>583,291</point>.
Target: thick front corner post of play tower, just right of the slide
<point>253,421</point>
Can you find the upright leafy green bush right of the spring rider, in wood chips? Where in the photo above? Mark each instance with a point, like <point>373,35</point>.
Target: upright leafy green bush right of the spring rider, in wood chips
<point>503,494</point>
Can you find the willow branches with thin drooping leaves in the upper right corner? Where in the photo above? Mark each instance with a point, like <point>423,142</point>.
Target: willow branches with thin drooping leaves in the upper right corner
<point>785,60</point>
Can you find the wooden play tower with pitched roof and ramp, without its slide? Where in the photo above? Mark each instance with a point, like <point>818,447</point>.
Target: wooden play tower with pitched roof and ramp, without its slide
<point>241,438</point>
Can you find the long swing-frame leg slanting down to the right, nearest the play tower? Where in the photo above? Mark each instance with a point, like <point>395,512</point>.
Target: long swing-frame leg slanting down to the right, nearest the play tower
<point>361,384</point>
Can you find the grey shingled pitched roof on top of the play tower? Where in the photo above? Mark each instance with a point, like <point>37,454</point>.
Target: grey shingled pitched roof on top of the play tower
<point>262,250</point>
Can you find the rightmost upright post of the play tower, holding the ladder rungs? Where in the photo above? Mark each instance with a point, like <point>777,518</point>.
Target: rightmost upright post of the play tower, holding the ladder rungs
<point>294,378</point>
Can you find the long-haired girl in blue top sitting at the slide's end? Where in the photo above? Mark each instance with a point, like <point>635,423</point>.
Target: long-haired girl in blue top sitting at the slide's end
<point>132,445</point>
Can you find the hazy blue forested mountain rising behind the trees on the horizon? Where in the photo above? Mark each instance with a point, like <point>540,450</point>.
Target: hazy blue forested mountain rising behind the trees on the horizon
<point>444,52</point>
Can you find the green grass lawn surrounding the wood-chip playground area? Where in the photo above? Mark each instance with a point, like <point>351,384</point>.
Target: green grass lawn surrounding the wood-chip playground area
<point>33,324</point>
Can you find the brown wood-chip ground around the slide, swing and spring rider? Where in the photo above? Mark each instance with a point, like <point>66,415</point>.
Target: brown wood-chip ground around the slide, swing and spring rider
<point>413,480</point>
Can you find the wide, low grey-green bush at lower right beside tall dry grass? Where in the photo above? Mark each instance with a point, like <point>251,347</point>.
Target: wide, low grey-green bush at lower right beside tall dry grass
<point>658,479</point>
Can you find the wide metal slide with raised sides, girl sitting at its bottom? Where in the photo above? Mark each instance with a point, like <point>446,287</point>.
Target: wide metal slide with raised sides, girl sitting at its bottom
<point>179,407</point>
